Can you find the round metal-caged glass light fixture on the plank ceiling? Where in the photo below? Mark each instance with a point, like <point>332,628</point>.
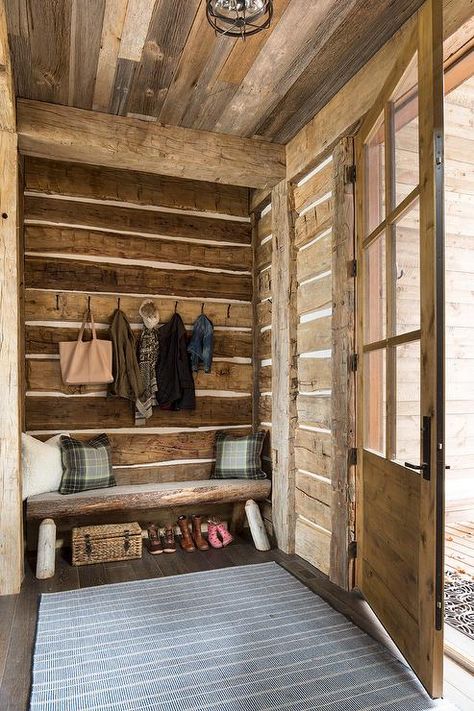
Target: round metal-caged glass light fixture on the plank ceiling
<point>239,18</point>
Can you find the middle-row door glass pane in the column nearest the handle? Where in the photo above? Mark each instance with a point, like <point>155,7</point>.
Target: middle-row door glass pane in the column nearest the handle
<point>406,234</point>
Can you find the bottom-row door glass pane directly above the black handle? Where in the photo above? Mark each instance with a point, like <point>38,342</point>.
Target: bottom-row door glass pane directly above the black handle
<point>408,435</point>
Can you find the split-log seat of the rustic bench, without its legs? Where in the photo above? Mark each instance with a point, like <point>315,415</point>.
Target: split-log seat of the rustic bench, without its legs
<point>146,496</point>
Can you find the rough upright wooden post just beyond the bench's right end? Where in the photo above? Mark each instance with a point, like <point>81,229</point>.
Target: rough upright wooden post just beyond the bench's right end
<point>284,322</point>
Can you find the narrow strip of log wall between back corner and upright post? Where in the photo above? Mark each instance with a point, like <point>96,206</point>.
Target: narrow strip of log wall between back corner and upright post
<point>262,253</point>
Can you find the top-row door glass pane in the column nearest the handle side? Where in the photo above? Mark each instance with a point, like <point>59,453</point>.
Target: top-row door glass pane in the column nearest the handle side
<point>405,133</point>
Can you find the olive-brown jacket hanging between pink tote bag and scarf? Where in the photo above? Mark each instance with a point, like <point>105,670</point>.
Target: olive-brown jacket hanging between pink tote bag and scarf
<point>128,382</point>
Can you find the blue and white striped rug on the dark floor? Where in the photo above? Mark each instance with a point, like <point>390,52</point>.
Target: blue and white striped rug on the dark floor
<point>239,639</point>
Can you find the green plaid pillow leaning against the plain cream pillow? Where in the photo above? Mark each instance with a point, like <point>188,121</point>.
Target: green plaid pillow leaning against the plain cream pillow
<point>86,465</point>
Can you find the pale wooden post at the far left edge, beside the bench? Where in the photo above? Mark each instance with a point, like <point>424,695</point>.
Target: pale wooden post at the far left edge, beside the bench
<point>11,534</point>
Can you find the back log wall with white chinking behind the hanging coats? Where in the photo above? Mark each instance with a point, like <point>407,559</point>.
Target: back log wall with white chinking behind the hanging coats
<point>104,234</point>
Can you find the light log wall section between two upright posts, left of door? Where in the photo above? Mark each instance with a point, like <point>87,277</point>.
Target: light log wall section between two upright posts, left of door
<point>313,440</point>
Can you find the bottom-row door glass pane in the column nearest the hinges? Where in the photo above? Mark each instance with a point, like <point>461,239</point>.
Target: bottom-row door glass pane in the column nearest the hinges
<point>374,400</point>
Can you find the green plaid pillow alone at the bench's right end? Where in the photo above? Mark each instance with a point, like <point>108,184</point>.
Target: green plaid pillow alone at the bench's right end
<point>239,457</point>
